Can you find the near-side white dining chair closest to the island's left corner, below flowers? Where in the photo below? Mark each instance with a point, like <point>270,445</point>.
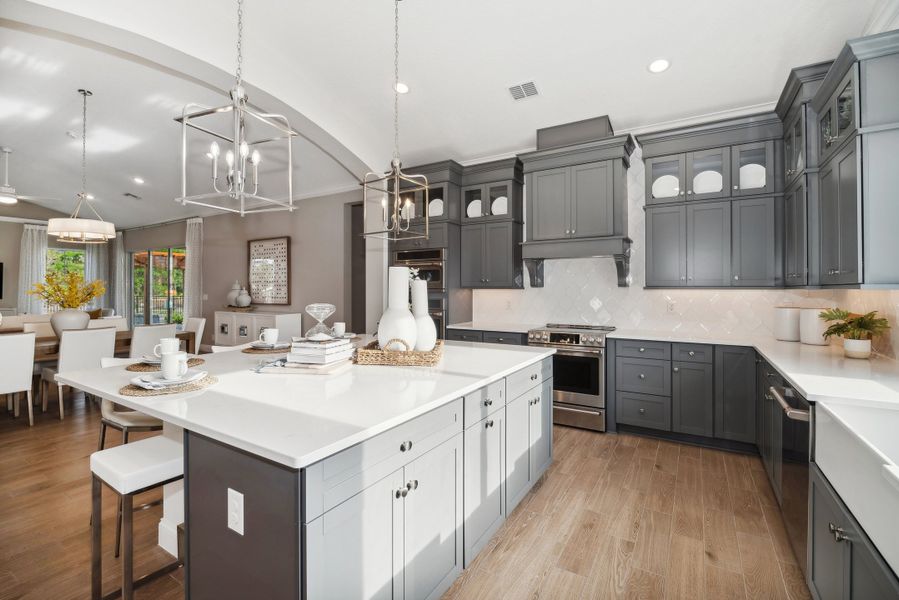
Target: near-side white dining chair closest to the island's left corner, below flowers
<point>78,349</point>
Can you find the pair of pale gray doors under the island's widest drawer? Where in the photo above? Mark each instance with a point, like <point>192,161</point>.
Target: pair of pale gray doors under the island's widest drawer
<point>400,537</point>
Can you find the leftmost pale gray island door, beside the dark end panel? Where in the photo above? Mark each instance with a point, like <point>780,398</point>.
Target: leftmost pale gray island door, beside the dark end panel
<point>355,550</point>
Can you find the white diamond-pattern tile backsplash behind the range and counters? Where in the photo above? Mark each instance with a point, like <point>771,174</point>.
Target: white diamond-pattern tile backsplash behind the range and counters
<point>585,290</point>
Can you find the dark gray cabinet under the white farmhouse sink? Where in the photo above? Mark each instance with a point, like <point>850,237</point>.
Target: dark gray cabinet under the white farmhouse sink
<point>844,564</point>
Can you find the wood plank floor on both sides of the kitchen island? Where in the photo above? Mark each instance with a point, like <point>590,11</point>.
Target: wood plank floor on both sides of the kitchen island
<point>615,516</point>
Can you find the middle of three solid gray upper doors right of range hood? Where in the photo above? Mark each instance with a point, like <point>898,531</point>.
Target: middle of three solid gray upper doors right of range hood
<point>708,244</point>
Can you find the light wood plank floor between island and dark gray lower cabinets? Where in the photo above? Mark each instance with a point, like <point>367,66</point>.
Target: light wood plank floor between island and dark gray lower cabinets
<point>619,516</point>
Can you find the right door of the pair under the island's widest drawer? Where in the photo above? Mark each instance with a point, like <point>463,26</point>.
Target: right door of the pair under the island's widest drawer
<point>432,528</point>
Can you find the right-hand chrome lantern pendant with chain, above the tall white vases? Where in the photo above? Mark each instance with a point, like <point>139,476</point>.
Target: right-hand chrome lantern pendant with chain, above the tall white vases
<point>396,190</point>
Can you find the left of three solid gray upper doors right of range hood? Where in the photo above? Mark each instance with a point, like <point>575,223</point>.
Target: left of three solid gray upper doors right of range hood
<point>666,246</point>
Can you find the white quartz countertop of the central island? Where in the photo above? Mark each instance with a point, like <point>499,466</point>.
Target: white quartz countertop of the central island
<point>297,419</point>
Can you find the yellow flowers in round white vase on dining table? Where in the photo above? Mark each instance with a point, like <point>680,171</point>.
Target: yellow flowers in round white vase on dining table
<point>69,292</point>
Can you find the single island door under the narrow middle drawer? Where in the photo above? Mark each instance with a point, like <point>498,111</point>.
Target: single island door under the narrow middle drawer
<point>485,467</point>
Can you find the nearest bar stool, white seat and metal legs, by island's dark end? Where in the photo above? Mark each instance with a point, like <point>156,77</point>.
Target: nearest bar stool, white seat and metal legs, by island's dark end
<point>128,470</point>
